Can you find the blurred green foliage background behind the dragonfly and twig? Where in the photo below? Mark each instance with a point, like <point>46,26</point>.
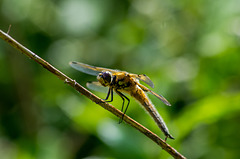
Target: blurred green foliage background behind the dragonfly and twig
<point>190,50</point>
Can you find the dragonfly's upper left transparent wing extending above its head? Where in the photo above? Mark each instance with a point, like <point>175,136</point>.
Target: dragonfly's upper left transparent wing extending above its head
<point>88,69</point>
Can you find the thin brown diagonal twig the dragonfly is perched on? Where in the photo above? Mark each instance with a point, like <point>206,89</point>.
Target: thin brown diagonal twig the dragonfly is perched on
<point>91,96</point>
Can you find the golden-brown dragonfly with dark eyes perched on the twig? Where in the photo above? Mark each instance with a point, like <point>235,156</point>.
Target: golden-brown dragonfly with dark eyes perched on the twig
<point>122,82</point>
